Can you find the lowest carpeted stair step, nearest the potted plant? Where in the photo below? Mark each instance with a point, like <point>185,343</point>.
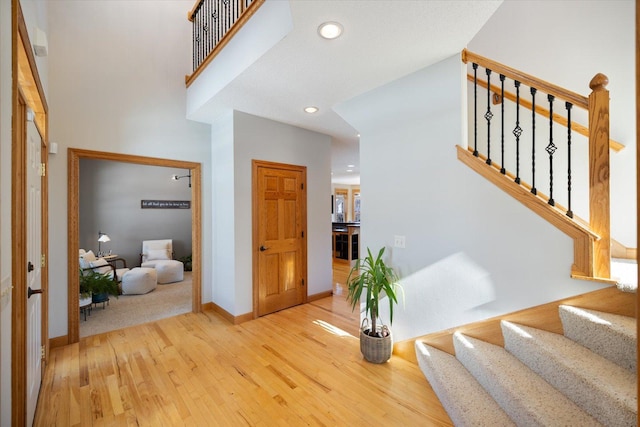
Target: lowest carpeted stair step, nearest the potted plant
<point>464,399</point>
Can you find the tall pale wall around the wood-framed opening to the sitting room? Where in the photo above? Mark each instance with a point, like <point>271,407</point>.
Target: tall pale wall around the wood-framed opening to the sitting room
<point>117,84</point>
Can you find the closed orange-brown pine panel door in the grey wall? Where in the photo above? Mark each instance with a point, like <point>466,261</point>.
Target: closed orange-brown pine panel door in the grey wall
<point>279,228</point>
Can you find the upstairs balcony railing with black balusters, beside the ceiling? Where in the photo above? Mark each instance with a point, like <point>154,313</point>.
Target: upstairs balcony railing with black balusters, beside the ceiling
<point>214,23</point>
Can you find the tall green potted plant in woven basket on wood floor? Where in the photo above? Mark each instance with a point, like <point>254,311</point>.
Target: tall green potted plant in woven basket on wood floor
<point>372,278</point>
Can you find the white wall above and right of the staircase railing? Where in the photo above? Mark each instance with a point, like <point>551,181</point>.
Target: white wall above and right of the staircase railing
<point>568,43</point>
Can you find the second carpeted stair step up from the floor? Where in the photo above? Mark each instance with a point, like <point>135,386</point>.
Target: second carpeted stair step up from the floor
<point>523,395</point>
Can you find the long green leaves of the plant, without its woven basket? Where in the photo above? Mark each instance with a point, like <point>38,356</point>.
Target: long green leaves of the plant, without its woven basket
<point>372,278</point>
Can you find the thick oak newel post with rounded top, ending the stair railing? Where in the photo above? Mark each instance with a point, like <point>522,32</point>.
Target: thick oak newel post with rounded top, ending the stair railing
<point>599,204</point>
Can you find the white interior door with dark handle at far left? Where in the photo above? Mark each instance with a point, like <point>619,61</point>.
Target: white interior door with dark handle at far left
<point>34,269</point>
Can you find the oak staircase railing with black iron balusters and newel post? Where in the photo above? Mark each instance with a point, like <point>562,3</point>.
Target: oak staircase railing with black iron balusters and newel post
<point>592,242</point>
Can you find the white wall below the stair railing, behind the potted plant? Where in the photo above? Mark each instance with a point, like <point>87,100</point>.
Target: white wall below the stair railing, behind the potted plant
<point>471,251</point>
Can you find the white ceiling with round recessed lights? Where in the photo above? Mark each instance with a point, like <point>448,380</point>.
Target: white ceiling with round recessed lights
<point>382,41</point>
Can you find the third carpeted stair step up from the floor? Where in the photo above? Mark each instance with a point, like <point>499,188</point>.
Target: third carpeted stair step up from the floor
<point>600,387</point>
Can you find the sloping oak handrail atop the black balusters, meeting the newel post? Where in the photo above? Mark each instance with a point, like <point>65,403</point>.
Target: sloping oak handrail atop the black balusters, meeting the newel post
<point>529,80</point>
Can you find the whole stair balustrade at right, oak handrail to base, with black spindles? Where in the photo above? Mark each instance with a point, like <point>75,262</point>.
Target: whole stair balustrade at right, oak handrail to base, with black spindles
<point>533,139</point>
